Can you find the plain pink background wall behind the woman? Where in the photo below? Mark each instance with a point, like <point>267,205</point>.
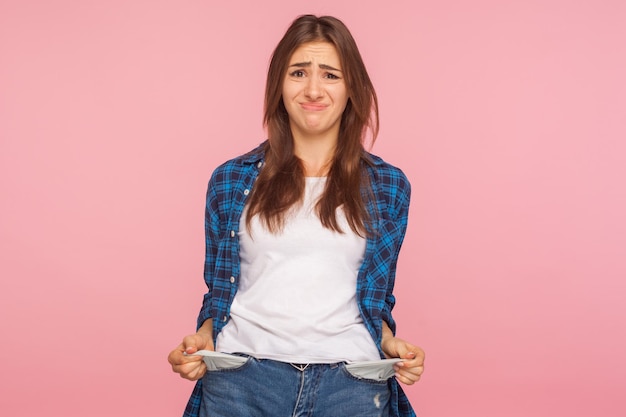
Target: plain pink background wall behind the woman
<point>509,117</point>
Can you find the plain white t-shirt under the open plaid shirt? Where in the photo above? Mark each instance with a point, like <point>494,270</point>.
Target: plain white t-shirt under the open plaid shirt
<point>296,300</point>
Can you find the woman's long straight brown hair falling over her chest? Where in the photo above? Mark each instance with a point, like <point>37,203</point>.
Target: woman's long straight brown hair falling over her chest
<point>281,183</point>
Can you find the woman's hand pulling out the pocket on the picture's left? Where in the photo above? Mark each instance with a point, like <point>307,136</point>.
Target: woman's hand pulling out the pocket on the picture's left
<point>189,366</point>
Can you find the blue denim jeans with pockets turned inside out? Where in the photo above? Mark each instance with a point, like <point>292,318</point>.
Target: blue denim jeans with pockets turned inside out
<point>267,388</point>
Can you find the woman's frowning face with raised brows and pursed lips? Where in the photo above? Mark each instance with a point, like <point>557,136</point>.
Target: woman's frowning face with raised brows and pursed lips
<point>314,91</point>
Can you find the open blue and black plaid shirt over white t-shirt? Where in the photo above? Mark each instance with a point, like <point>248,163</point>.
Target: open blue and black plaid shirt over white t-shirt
<point>228,189</point>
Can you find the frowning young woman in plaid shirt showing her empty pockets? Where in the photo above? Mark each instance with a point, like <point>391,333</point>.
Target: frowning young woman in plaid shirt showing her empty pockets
<point>302,239</point>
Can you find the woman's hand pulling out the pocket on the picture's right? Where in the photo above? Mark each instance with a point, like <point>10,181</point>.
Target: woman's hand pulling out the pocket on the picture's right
<point>411,368</point>
